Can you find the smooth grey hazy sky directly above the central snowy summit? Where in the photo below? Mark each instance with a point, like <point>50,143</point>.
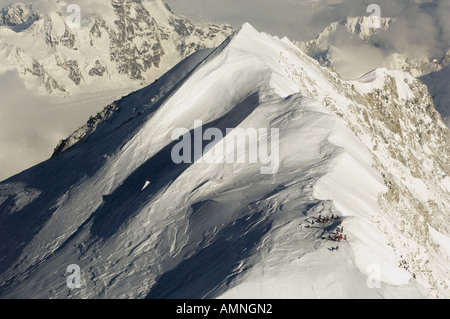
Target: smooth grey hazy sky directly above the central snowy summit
<point>297,19</point>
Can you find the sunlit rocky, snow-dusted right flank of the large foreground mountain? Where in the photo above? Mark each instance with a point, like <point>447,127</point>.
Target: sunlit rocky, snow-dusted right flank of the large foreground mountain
<point>393,114</point>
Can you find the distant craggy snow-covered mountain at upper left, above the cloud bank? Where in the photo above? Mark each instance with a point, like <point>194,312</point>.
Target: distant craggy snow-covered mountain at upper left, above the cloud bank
<point>67,47</point>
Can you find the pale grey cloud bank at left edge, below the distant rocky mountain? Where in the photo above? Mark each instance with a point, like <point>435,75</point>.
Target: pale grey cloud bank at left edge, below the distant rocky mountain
<point>31,125</point>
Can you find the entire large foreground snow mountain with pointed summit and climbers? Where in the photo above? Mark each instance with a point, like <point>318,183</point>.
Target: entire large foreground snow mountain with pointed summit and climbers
<point>371,156</point>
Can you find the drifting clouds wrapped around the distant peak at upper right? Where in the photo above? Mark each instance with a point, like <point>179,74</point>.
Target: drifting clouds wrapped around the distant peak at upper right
<point>421,30</point>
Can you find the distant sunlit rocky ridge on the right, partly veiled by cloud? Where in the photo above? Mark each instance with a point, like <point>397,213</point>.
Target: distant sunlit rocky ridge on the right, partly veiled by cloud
<point>325,48</point>
